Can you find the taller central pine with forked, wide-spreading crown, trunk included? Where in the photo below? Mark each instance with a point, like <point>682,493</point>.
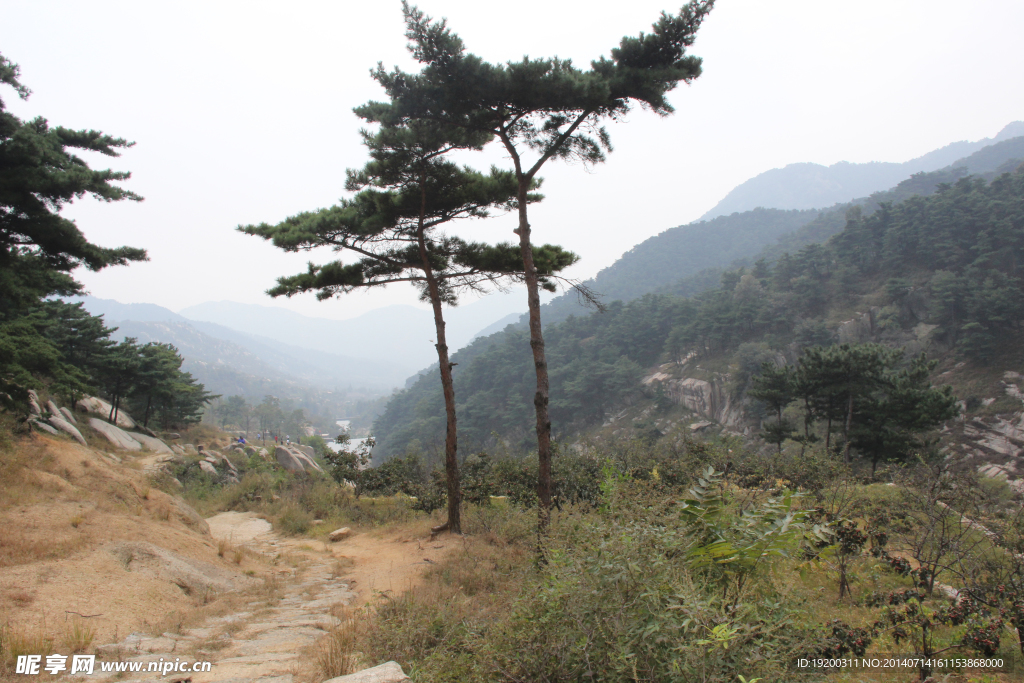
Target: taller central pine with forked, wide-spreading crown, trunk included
<point>547,107</point>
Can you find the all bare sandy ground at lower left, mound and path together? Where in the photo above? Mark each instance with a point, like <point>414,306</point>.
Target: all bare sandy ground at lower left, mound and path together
<point>84,539</point>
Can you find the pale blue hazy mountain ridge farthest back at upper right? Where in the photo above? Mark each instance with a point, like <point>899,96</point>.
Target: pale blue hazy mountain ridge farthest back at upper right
<point>815,186</point>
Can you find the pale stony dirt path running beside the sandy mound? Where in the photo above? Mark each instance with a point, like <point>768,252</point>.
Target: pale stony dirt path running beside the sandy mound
<point>271,634</point>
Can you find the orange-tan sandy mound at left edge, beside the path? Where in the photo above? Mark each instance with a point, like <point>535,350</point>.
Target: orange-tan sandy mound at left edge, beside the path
<point>60,523</point>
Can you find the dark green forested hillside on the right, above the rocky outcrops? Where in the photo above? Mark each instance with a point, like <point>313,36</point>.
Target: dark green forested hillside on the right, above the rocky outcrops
<point>950,263</point>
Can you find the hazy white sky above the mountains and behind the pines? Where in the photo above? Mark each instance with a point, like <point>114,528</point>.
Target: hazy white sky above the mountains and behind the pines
<point>242,113</point>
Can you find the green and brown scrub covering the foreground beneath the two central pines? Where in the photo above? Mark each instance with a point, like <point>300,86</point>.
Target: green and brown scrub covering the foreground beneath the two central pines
<point>675,561</point>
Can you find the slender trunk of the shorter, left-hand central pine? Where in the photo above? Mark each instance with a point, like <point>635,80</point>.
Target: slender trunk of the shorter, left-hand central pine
<point>454,525</point>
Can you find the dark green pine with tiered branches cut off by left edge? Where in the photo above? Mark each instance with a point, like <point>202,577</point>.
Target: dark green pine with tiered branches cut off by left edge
<point>39,176</point>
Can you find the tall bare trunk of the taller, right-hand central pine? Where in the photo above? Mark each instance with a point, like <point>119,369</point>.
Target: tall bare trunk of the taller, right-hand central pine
<point>540,364</point>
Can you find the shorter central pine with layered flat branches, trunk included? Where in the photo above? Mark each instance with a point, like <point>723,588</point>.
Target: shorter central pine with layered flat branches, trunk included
<point>405,195</point>
